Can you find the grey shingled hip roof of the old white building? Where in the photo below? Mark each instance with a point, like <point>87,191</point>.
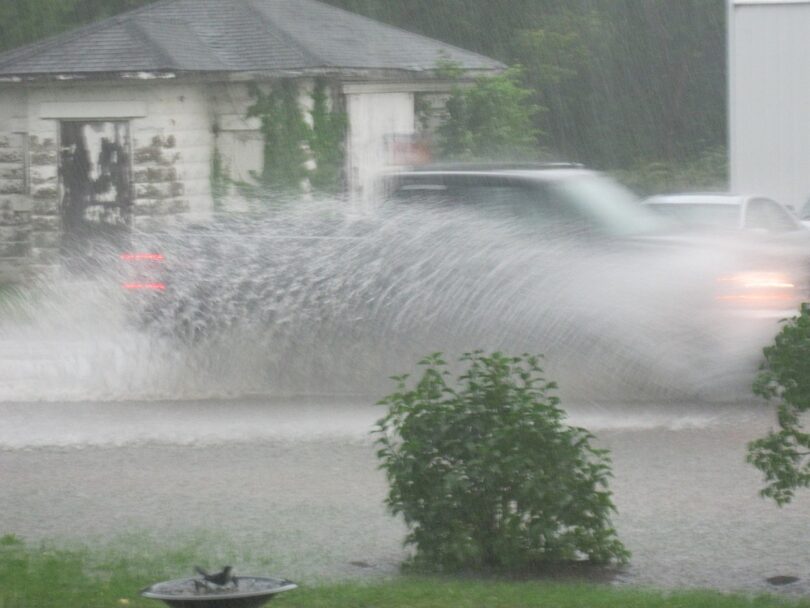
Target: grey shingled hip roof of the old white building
<point>205,36</point>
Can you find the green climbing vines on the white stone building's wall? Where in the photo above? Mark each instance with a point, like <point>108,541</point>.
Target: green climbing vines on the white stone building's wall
<point>290,143</point>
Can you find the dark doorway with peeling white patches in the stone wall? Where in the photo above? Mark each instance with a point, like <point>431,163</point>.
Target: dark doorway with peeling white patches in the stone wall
<point>96,180</point>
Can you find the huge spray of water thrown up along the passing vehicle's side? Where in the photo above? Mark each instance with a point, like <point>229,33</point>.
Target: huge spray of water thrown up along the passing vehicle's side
<point>312,300</point>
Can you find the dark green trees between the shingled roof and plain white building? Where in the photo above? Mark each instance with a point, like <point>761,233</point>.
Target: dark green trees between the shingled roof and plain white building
<point>625,82</point>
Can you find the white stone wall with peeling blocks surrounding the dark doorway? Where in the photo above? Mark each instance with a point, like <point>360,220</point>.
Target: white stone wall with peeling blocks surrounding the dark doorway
<point>171,143</point>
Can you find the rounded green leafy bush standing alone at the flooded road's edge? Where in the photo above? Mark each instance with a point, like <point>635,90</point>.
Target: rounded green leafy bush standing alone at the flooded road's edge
<point>487,475</point>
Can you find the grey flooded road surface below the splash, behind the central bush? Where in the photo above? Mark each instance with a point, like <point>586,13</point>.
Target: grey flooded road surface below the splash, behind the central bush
<point>294,483</point>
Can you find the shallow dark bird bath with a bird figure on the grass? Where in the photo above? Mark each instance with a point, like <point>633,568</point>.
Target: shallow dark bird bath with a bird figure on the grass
<point>239,592</point>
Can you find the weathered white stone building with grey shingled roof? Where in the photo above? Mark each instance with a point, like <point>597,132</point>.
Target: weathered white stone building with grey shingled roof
<point>119,124</point>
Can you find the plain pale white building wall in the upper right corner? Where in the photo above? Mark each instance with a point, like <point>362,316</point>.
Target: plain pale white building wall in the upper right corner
<point>769,99</point>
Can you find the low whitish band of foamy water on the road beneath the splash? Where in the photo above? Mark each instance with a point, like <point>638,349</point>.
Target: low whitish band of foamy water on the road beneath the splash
<point>214,423</point>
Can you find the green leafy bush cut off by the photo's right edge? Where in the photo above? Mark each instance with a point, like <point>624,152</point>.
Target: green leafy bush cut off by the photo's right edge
<point>784,455</point>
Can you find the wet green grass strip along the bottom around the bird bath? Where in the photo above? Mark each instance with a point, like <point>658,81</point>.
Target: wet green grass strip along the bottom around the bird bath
<point>45,577</point>
